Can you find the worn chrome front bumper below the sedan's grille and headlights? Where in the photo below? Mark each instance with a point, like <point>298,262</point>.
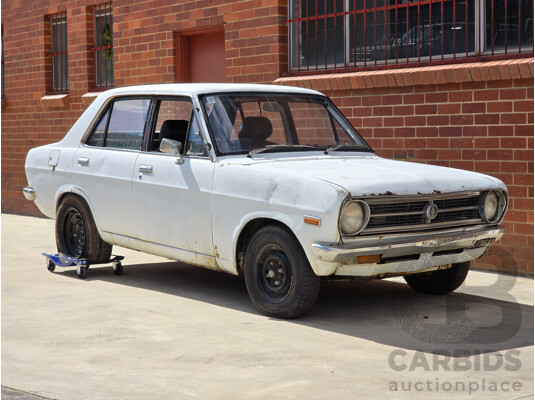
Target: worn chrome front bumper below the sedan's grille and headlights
<point>400,245</point>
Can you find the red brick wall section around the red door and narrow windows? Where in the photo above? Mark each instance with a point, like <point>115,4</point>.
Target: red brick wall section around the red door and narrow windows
<point>144,52</point>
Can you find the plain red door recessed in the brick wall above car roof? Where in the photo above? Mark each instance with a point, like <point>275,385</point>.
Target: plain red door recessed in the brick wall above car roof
<point>201,56</point>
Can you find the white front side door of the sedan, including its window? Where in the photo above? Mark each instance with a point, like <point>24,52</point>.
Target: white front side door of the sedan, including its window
<point>172,201</point>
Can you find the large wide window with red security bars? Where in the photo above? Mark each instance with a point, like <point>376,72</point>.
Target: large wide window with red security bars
<point>355,34</point>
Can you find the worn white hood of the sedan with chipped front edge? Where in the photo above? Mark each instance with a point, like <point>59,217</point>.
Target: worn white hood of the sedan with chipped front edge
<point>366,175</point>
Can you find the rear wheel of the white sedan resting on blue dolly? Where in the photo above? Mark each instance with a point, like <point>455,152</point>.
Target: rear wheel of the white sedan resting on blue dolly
<point>76,233</point>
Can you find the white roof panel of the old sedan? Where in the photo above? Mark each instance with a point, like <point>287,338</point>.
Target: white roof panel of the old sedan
<point>195,89</point>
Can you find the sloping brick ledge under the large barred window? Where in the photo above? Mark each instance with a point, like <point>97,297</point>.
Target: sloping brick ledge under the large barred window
<point>439,74</point>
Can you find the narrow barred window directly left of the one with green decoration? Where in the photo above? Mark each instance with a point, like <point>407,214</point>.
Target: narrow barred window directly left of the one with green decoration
<point>59,56</point>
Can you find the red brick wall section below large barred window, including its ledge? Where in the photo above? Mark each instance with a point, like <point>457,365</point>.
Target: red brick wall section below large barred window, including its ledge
<point>477,116</point>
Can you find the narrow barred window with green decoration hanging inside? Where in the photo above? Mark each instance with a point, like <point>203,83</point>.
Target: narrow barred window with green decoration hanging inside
<point>103,46</point>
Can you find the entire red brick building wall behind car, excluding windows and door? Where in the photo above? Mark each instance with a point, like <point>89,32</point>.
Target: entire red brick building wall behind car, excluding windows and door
<point>474,116</point>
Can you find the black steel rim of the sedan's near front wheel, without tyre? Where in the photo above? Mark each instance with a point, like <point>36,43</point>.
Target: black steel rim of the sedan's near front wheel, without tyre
<point>274,273</point>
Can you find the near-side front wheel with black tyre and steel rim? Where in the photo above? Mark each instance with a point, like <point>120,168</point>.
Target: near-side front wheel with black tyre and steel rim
<point>278,276</point>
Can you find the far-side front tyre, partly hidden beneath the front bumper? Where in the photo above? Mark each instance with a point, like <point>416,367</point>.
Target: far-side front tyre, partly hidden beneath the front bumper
<point>441,281</point>
